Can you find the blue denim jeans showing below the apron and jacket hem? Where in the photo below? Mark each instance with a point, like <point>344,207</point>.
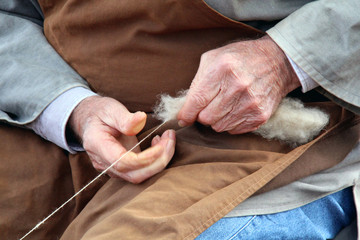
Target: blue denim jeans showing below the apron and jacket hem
<point>321,219</point>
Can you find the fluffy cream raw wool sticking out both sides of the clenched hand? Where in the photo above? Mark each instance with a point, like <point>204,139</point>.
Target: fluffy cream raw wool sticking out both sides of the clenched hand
<point>292,122</point>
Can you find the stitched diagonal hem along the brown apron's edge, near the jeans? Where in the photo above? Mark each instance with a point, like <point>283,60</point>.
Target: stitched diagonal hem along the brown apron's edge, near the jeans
<point>296,155</point>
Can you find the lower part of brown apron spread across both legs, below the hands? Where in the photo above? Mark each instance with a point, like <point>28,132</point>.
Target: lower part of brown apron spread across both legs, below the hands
<point>204,181</point>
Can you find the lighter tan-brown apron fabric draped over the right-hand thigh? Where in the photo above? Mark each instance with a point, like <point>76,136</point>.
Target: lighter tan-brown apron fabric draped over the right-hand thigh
<point>201,185</point>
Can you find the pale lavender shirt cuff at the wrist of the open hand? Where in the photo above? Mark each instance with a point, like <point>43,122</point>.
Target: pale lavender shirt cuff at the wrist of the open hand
<point>51,124</point>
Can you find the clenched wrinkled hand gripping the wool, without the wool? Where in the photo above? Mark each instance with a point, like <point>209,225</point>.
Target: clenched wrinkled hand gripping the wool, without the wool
<point>238,86</point>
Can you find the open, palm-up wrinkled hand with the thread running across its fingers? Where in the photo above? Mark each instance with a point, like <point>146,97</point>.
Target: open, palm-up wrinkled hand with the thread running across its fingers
<point>107,130</point>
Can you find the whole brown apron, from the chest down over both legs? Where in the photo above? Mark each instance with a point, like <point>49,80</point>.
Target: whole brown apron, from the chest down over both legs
<point>132,51</point>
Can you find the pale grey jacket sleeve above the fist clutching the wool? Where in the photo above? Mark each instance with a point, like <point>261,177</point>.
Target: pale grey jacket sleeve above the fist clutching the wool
<point>323,38</point>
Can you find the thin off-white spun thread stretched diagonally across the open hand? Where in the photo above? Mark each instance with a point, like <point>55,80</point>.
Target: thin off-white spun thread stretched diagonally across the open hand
<point>96,178</point>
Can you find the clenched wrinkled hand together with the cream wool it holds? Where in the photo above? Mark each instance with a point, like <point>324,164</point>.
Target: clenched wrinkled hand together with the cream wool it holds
<point>238,89</point>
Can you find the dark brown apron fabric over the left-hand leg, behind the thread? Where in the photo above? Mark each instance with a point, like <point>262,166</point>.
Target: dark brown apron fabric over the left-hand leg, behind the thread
<point>36,177</point>
